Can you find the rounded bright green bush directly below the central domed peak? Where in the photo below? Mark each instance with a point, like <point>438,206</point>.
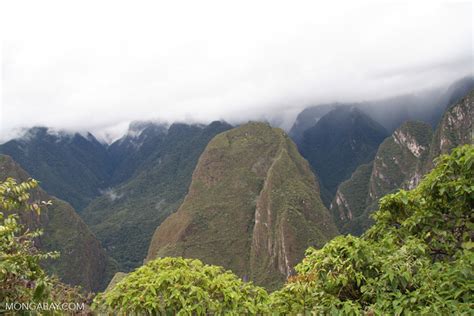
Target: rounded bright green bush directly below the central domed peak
<point>182,287</point>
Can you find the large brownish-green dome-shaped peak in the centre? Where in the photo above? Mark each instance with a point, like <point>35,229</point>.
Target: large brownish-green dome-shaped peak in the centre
<point>253,206</point>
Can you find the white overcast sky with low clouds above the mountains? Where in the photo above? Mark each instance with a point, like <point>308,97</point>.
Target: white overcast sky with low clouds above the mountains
<point>98,65</point>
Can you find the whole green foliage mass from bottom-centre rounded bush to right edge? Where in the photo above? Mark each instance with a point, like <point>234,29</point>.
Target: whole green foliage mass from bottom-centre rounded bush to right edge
<point>417,259</point>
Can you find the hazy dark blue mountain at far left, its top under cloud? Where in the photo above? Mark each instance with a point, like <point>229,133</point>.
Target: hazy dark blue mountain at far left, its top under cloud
<point>72,167</point>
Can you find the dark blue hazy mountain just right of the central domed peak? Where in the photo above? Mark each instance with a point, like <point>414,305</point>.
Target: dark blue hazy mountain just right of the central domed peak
<point>340,141</point>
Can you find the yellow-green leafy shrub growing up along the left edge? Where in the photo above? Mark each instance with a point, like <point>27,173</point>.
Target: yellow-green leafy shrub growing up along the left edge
<point>22,279</point>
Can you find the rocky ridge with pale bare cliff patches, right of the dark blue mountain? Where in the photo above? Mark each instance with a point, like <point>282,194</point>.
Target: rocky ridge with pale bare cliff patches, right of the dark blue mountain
<point>399,163</point>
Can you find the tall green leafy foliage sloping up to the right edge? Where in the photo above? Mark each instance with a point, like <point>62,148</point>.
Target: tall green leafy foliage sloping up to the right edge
<point>417,258</point>
